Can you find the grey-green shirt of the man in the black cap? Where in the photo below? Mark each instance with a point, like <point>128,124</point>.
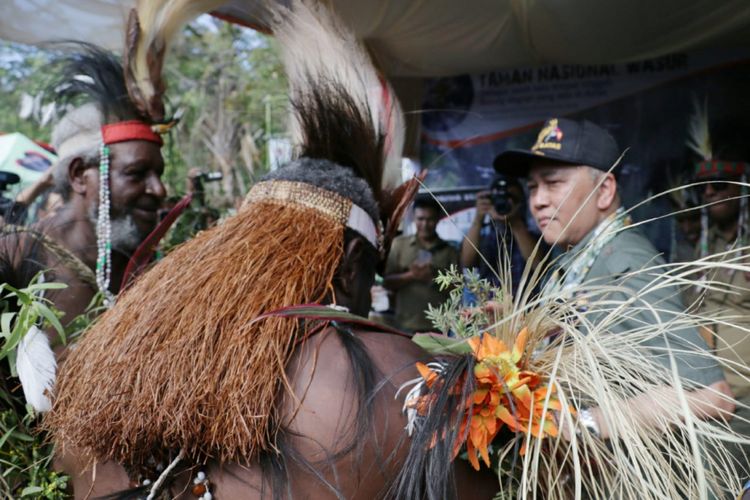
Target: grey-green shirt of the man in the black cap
<point>628,252</point>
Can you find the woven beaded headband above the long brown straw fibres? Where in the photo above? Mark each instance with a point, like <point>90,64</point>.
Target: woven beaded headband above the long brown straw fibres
<point>332,205</point>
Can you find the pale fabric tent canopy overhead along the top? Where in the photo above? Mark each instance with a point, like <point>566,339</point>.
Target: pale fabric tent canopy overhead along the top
<point>419,38</point>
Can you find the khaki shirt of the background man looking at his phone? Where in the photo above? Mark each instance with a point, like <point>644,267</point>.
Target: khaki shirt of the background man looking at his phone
<point>412,299</point>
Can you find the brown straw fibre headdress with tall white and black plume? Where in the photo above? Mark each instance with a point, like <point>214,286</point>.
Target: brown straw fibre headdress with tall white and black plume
<point>179,362</point>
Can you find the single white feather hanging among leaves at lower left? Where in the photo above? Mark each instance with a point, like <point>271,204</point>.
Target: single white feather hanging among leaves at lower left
<point>36,367</point>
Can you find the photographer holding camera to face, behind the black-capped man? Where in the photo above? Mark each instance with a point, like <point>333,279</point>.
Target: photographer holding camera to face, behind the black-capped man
<point>499,229</point>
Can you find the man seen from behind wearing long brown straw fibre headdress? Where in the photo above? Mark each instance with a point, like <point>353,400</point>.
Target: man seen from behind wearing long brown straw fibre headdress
<point>202,376</point>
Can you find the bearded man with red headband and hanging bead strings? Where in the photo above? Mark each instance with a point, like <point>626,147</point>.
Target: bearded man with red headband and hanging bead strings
<point>109,176</point>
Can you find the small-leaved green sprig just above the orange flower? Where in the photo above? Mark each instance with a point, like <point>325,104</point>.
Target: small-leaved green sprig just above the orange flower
<point>452,315</point>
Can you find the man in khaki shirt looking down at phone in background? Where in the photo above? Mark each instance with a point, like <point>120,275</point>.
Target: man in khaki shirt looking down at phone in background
<point>412,266</point>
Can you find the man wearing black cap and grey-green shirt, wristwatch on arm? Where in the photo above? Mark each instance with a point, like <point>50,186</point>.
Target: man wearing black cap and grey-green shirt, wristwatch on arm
<point>574,200</point>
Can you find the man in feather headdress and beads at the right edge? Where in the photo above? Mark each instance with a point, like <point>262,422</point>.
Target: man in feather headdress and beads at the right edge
<point>721,173</point>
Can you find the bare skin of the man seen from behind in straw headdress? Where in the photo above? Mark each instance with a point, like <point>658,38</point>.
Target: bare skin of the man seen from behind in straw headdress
<point>322,415</point>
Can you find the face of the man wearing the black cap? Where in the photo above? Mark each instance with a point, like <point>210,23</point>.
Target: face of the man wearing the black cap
<point>557,200</point>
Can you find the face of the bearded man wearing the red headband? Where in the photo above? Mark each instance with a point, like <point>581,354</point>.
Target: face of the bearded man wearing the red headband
<point>136,191</point>
